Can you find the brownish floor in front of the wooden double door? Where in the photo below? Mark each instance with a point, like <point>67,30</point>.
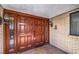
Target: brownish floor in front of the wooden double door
<point>45,49</point>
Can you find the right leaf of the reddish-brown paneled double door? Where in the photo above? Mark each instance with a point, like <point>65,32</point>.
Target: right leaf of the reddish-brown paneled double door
<point>38,32</point>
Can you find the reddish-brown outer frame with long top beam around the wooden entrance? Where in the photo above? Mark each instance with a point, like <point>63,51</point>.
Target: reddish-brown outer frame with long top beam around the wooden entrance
<point>4,32</point>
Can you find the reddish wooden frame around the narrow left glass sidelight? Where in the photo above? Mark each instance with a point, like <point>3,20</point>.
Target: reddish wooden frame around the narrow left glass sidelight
<point>5,42</point>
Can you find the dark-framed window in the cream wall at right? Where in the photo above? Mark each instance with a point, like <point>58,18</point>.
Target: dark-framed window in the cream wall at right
<point>74,23</point>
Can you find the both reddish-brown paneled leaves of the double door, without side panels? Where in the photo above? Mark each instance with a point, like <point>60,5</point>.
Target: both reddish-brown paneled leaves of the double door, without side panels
<point>30,32</point>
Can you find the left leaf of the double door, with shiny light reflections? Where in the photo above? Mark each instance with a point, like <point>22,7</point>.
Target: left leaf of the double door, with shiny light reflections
<point>25,29</point>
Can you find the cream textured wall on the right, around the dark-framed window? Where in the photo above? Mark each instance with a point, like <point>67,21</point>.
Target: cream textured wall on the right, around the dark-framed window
<point>60,37</point>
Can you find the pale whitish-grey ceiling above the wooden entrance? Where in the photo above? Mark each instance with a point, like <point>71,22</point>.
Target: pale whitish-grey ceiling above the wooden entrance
<point>44,10</point>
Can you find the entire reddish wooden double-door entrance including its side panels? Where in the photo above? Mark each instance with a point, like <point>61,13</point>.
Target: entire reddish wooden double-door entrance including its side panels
<point>27,33</point>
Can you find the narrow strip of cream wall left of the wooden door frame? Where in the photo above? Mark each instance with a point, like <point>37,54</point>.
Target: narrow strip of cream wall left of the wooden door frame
<point>1,32</point>
